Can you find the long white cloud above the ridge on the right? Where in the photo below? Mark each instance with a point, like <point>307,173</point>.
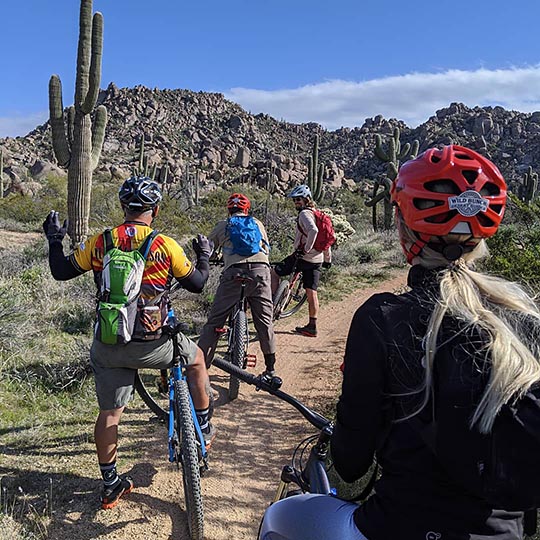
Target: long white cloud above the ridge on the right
<point>412,98</point>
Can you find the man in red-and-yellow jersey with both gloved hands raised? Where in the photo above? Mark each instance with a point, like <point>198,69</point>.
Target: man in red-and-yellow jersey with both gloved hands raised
<point>115,366</point>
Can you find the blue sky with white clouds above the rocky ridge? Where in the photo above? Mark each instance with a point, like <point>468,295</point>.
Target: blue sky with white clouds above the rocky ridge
<point>332,62</point>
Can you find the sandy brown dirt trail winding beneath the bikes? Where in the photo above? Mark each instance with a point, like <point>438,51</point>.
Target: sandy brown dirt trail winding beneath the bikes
<point>256,437</point>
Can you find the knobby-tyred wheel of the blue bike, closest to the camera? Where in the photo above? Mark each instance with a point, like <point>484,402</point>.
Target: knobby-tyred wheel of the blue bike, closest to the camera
<point>189,460</point>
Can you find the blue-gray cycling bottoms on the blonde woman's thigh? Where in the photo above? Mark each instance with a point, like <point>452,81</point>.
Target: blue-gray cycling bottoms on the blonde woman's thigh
<point>310,517</point>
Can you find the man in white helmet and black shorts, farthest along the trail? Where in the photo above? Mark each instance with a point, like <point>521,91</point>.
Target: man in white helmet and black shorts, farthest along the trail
<point>310,260</point>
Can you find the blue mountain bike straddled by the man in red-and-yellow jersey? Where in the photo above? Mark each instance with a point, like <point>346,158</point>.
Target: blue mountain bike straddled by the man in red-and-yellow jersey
<point>186,443</point>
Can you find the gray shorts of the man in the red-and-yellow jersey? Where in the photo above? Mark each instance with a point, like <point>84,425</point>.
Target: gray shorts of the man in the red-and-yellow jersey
<point>114,366</point>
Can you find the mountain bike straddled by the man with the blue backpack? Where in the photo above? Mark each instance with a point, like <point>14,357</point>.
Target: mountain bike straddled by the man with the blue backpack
<point>238,336</point>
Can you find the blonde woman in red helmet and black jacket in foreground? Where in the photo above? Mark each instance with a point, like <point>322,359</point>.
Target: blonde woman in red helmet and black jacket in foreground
<point>431,375</point>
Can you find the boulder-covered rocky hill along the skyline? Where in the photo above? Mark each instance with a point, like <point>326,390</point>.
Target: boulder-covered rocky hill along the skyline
<point>204,132</point>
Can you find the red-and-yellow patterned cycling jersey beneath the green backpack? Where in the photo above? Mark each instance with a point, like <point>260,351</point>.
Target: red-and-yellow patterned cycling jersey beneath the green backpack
<point>166,259</point>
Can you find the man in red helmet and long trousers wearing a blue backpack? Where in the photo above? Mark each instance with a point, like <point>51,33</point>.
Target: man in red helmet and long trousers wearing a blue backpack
<point>255,264</point>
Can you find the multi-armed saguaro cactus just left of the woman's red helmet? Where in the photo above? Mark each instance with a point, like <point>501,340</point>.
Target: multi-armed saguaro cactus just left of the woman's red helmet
<point>393,156</point>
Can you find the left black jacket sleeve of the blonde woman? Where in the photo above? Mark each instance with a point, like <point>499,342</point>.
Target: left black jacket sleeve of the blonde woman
<point>360,420</point>
